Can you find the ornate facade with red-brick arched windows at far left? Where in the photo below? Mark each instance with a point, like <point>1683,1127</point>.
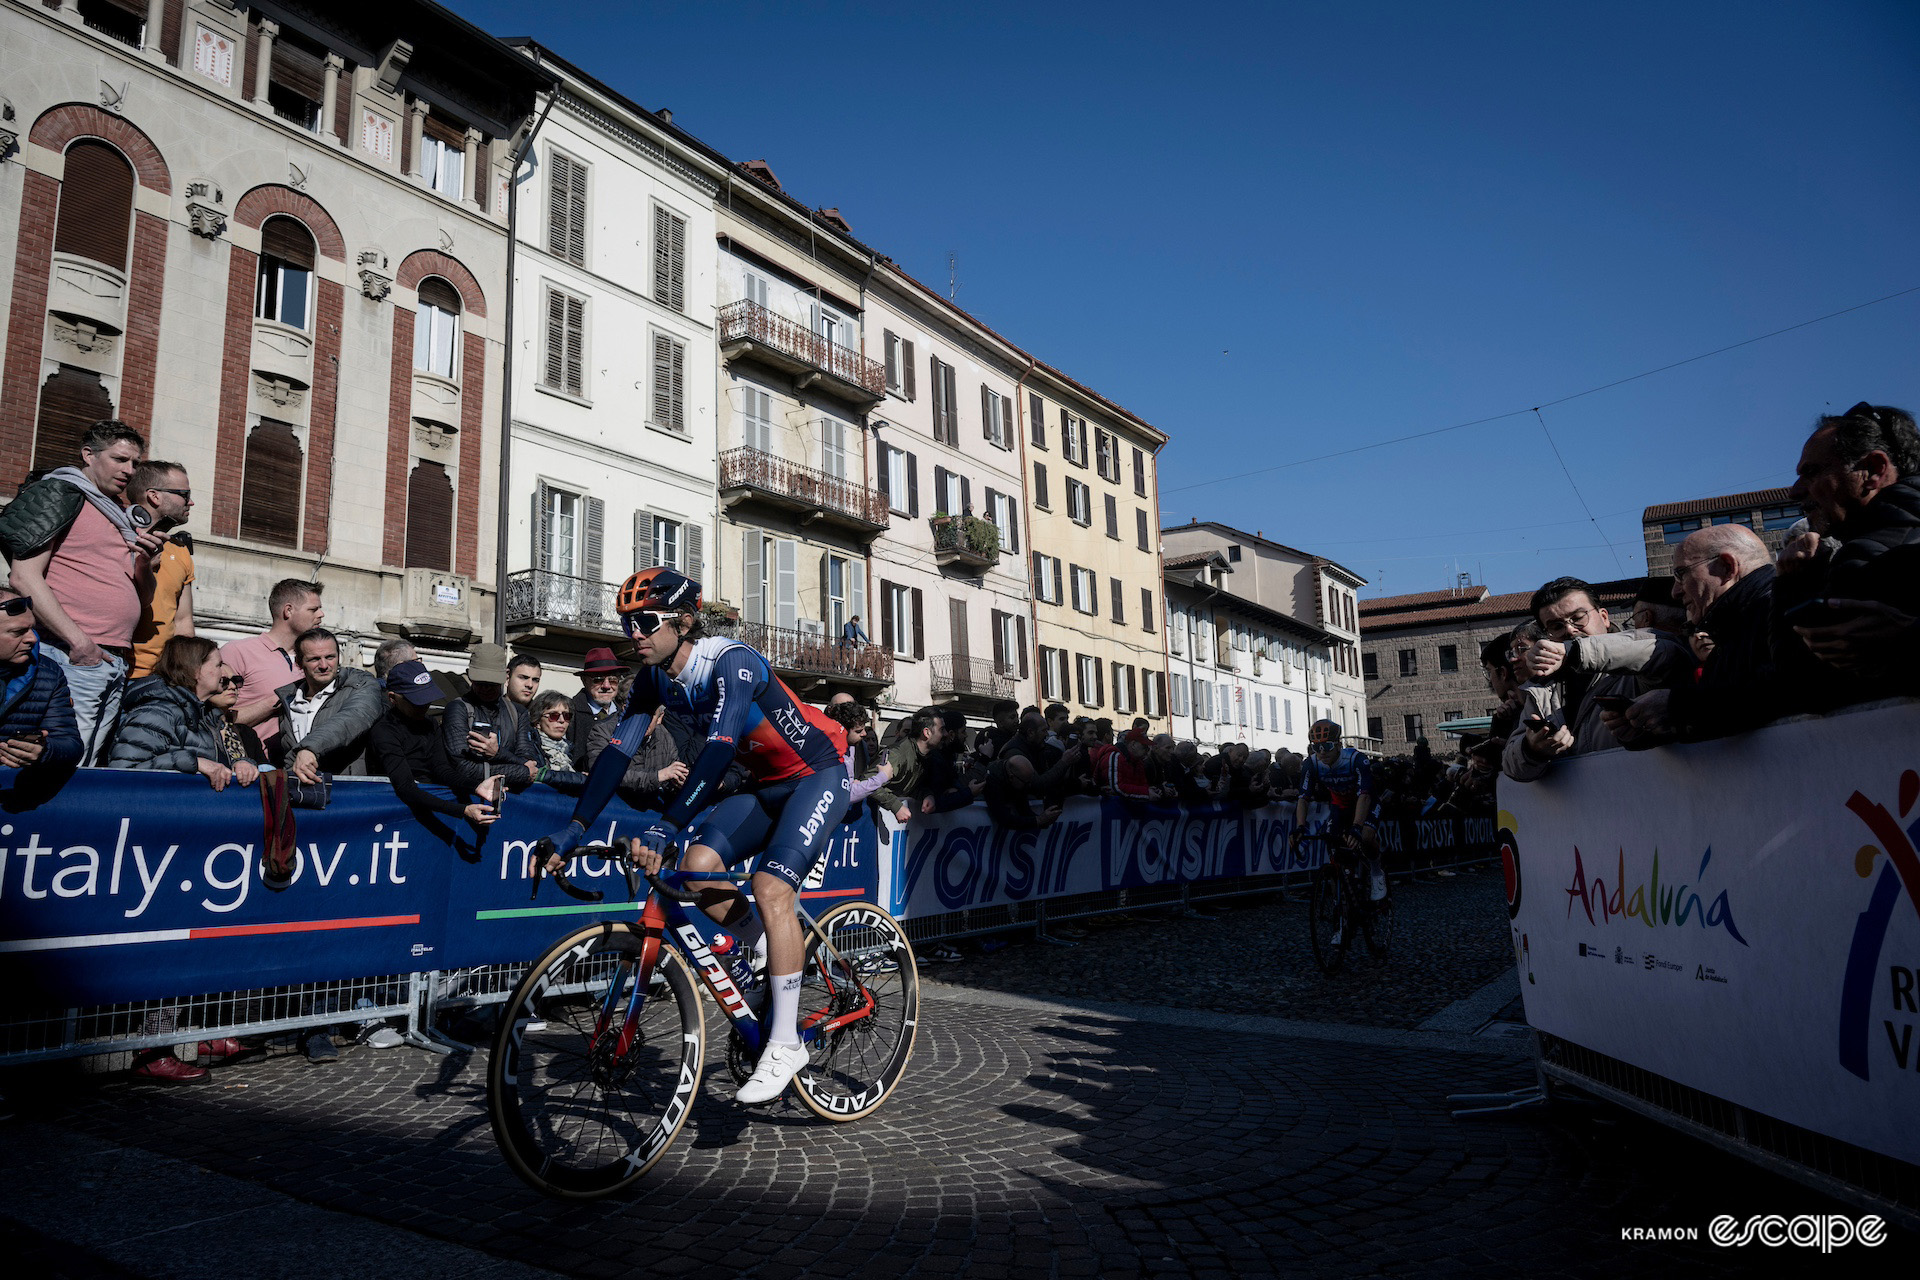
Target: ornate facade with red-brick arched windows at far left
<point>274,241</point>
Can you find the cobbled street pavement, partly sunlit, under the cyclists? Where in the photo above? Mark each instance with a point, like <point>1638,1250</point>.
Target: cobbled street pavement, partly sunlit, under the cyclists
<point>1038,1135</point>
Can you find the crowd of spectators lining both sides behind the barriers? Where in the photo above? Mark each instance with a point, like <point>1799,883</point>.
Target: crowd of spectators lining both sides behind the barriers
<point>101,665</point>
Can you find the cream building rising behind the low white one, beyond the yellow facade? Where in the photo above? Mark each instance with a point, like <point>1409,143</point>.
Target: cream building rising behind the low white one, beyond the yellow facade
<point>1308,590</point>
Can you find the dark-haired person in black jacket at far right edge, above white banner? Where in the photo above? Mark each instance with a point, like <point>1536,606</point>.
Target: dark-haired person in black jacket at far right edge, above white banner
<point>1860,485</point>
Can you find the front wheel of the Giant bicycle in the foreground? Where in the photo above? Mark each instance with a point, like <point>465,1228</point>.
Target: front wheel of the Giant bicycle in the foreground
<point>585,1089</point>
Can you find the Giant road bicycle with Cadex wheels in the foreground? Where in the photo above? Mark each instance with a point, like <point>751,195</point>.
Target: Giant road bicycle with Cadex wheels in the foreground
<point>600,1051</point>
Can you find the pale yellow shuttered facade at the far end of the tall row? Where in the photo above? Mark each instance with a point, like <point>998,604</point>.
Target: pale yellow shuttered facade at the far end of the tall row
<point>1095,565</point>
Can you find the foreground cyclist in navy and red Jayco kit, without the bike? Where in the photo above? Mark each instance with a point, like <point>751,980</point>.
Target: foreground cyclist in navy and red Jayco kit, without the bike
<point>796,799</point>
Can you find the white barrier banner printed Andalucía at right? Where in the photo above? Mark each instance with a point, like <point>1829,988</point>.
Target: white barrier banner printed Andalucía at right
<point>1739,916</point>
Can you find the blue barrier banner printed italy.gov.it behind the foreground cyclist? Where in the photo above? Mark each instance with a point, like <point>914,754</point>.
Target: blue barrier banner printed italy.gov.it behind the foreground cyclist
<point>135,886</point>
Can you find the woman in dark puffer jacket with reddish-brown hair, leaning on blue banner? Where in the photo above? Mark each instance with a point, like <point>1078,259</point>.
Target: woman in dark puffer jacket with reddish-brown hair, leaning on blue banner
<point>174,719</point>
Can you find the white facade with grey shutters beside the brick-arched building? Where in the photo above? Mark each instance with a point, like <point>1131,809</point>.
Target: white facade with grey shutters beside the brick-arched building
<point>615,429</point>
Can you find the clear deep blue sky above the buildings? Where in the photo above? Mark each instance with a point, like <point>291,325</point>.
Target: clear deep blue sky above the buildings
<point>1287,229</point>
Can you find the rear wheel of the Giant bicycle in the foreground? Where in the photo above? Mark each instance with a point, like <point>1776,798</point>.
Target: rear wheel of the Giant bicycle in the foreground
<point>855,1068</point>
